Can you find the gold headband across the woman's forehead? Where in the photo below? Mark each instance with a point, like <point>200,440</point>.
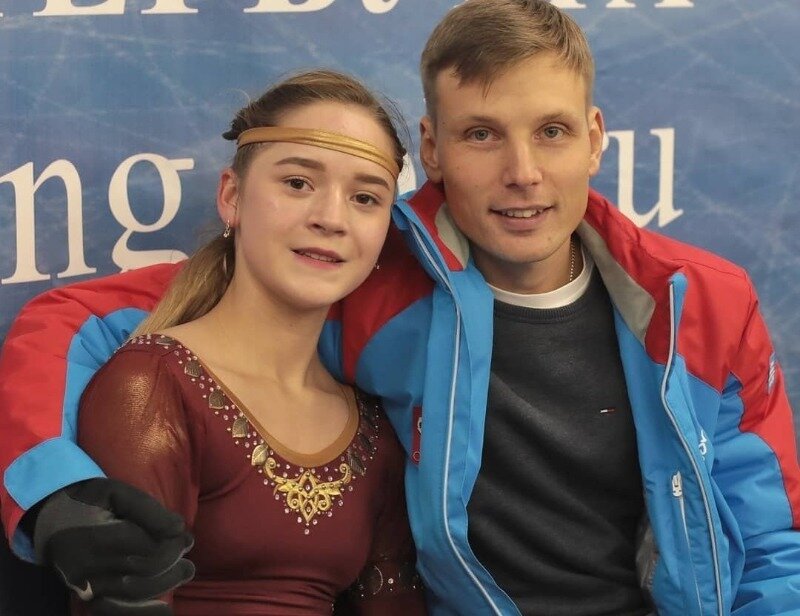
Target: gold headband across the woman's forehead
<point>322,139</point>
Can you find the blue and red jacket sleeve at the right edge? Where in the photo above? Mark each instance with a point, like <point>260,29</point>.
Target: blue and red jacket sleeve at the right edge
<point>757,472</point>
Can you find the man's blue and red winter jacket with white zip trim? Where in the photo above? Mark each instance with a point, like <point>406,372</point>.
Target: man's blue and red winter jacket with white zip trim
<point>714,428</point>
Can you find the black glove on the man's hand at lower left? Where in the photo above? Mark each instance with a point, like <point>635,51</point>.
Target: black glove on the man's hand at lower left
<point>117,547</point>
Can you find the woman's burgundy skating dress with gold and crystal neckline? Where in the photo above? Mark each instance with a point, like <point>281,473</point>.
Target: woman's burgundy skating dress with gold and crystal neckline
<point>276,532</point>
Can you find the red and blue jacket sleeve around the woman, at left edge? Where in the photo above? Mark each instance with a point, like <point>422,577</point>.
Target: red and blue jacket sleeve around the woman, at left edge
<point>51,351</point>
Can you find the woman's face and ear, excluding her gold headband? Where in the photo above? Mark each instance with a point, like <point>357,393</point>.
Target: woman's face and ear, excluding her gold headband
<point>310,222</point>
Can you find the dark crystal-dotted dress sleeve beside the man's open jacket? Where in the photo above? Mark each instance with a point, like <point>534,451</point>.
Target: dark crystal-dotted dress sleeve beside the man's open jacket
<point>389,584</point>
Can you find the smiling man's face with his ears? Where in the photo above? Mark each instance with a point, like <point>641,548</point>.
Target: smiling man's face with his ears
<point>515,161</point>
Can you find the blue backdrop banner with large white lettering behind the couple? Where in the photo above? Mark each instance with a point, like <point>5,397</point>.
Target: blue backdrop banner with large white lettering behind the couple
<point>111,113</point>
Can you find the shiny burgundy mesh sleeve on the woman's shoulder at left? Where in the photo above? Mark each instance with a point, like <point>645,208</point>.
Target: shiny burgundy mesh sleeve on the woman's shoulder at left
<point>134,424</point>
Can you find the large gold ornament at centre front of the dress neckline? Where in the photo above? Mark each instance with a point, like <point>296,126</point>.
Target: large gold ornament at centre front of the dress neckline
<point>305,493</point>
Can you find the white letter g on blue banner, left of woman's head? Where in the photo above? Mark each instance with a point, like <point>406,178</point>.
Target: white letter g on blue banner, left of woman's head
<point>124,257</point>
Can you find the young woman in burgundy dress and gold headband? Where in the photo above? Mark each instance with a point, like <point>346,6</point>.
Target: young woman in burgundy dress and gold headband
<point>291,482</point>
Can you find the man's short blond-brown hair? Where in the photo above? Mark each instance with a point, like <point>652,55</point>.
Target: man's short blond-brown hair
<point>480,39</point>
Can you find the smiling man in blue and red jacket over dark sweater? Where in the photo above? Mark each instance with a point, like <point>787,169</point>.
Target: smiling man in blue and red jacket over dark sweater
<point>594,417</point>
